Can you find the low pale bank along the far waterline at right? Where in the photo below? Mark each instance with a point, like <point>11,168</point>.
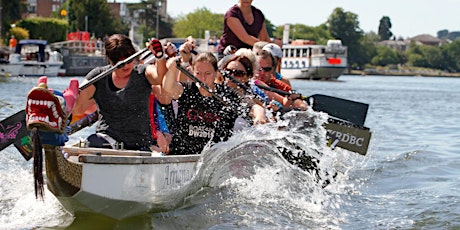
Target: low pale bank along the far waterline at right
<point>402,71</point>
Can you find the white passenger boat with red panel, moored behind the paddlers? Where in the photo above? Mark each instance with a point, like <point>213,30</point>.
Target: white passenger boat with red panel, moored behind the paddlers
<point>314,62</point>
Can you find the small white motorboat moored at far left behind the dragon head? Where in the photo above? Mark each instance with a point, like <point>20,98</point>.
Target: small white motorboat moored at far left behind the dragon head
<point>32,58</point>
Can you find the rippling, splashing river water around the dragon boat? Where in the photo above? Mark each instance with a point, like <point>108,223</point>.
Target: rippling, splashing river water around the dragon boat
<point>410,178</point>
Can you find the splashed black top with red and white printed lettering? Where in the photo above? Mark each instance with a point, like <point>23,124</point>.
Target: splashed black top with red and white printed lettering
<point>202,119</point>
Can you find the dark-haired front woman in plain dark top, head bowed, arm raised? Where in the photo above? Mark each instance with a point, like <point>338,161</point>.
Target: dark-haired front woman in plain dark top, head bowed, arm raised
<point>122,98</point>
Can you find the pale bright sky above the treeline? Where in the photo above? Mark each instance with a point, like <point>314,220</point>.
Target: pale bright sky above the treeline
<point>408,17</point>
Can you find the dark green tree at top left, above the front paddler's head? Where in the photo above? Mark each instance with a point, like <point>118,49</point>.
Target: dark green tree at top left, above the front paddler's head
<point>100,21</point>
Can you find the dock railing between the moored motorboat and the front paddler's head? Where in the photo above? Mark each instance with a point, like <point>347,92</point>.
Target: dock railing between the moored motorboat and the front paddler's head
<point>93,47</point>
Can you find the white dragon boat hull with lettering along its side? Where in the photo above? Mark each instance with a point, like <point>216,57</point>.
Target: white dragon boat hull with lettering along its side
<point>133,182</point>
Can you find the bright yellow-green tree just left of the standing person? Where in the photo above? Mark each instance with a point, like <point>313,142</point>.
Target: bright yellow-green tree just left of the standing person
<point>197,22</point>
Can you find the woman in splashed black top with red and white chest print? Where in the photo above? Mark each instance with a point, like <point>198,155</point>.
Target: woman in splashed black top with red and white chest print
<point>202,116</point>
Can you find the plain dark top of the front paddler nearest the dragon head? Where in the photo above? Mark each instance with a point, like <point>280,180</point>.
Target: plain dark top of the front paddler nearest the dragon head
<point>123,113</point>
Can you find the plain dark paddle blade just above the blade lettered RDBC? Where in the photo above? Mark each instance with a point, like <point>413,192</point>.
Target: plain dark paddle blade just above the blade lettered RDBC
<point>352,111</point>
